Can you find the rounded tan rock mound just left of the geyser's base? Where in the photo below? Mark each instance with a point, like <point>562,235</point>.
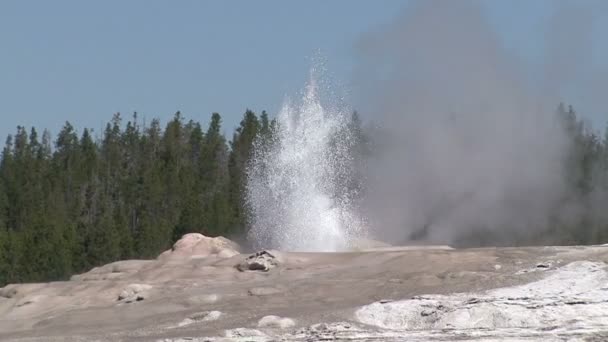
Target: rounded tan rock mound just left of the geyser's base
<point>195,245</point>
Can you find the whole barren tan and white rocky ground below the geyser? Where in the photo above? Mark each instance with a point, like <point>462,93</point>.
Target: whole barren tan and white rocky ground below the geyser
<point>203,289</point>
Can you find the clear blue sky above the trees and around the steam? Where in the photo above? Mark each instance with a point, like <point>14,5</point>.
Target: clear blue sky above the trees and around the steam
<point>82,61</point>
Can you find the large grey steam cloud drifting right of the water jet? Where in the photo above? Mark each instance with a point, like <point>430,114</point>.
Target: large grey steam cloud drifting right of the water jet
<point>466,139</point>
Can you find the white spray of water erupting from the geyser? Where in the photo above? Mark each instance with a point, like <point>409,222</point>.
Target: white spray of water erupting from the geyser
<point>296,195</point>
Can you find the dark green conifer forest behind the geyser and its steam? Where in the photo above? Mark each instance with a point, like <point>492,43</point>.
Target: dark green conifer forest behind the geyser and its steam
<point>77,202</point>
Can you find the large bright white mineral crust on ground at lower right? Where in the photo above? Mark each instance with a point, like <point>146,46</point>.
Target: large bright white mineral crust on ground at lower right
<point>575,293</point>
